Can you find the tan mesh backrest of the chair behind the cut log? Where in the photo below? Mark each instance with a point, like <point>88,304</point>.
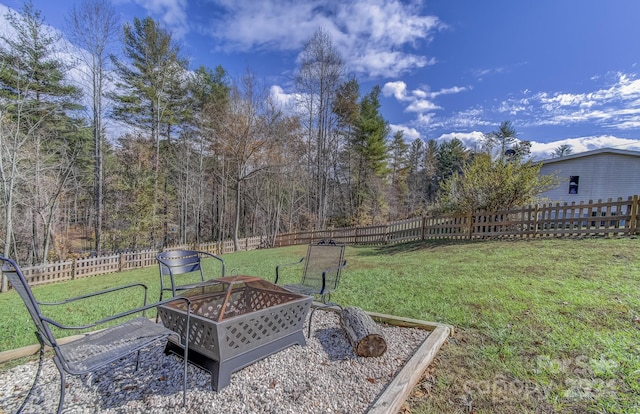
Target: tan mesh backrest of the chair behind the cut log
<point>327,257</point>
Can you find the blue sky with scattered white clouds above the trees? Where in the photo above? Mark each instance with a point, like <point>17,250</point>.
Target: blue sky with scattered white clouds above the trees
<point>561,71</point>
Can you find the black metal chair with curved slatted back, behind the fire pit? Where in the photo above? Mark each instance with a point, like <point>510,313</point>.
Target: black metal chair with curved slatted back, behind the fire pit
<point>181,262</point>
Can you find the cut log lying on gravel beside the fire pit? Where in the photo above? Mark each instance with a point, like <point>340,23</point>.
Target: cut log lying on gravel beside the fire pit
<point>363,333</point>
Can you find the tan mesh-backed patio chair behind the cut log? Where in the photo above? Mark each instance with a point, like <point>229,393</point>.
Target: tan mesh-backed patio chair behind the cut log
<point>321,272</point>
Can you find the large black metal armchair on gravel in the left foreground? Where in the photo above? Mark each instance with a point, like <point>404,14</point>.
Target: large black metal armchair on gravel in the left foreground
<point>94,350</point>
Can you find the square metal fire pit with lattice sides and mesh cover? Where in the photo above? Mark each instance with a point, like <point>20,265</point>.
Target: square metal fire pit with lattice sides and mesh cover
<point>236,321</point>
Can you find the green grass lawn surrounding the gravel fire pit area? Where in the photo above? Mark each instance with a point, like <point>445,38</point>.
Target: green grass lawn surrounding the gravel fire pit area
<point>541,326</point>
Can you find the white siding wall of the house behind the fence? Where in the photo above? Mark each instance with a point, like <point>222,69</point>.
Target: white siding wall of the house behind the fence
<point>603,174</point>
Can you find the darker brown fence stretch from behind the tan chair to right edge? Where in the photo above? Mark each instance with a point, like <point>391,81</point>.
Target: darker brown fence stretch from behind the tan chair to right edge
<point>602,218</point>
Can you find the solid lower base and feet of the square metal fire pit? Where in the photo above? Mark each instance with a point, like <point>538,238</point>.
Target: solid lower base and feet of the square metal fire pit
<point>221,371</point>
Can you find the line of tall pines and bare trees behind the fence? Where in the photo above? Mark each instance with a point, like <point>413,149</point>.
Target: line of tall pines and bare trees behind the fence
<point>205,156</point>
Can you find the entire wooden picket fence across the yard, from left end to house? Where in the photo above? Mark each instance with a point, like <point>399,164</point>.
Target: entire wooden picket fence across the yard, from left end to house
<point>602,218</point>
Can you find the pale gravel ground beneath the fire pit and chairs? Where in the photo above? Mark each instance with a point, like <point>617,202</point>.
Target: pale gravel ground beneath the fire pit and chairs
<point>323,377</point>
